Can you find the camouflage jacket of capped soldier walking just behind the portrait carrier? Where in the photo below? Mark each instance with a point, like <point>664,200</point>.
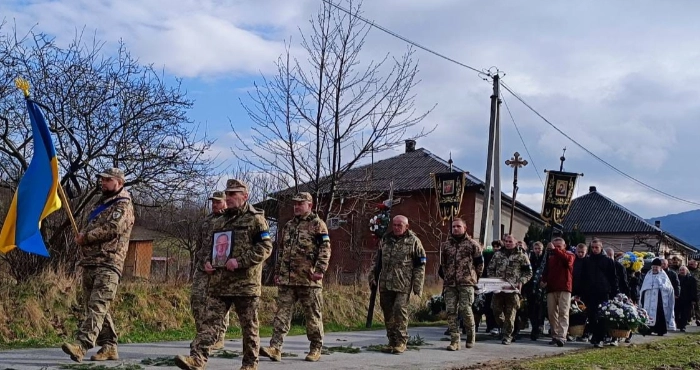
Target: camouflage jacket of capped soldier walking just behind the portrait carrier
<point>305,248</point>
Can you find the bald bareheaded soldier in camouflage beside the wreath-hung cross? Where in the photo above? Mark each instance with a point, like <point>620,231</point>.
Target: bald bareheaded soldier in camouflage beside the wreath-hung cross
<point>401,264</point>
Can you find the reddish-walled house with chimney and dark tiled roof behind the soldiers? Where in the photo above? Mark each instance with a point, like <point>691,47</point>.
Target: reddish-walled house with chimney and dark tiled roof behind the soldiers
<point>363,187</point>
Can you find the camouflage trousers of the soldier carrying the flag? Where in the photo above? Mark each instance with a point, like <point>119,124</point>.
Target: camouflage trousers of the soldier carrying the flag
<point>99,289</point>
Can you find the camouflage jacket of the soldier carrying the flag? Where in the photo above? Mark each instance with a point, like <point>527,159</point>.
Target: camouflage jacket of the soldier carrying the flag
<point>107,232</point>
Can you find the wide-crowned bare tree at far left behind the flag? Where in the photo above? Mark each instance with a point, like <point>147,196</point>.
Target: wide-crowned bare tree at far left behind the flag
<point>103,111</point>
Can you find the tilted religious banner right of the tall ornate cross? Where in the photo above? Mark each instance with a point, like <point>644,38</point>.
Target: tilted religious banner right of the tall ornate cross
<point>558,192</point>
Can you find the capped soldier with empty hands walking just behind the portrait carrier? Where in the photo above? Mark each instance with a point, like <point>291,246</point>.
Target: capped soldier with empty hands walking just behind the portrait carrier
<point>302,260</point>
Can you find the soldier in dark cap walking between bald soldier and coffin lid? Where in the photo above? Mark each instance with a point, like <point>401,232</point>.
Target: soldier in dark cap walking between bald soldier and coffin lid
<point>462,263</point>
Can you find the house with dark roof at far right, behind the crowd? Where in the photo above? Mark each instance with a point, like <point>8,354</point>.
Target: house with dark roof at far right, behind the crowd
<point>597,216</point>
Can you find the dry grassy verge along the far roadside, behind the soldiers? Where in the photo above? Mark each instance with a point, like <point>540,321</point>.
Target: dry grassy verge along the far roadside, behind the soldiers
<point>45,312</point>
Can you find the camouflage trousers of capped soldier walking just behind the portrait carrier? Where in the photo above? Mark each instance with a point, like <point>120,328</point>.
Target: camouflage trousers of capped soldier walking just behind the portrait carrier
<point>311,300</point>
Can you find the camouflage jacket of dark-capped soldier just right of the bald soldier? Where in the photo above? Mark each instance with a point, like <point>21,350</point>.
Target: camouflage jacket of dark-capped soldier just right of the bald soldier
<point>462,261</point>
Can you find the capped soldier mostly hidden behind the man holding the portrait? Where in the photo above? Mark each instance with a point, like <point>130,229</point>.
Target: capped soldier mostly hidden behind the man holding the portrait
<point>200,279</point>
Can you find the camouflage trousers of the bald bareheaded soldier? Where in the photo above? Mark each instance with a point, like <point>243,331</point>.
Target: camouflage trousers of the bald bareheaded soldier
<point>395,309</point>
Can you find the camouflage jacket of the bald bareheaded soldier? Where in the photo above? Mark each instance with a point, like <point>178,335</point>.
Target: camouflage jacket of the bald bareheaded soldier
<point>401,263</point>
